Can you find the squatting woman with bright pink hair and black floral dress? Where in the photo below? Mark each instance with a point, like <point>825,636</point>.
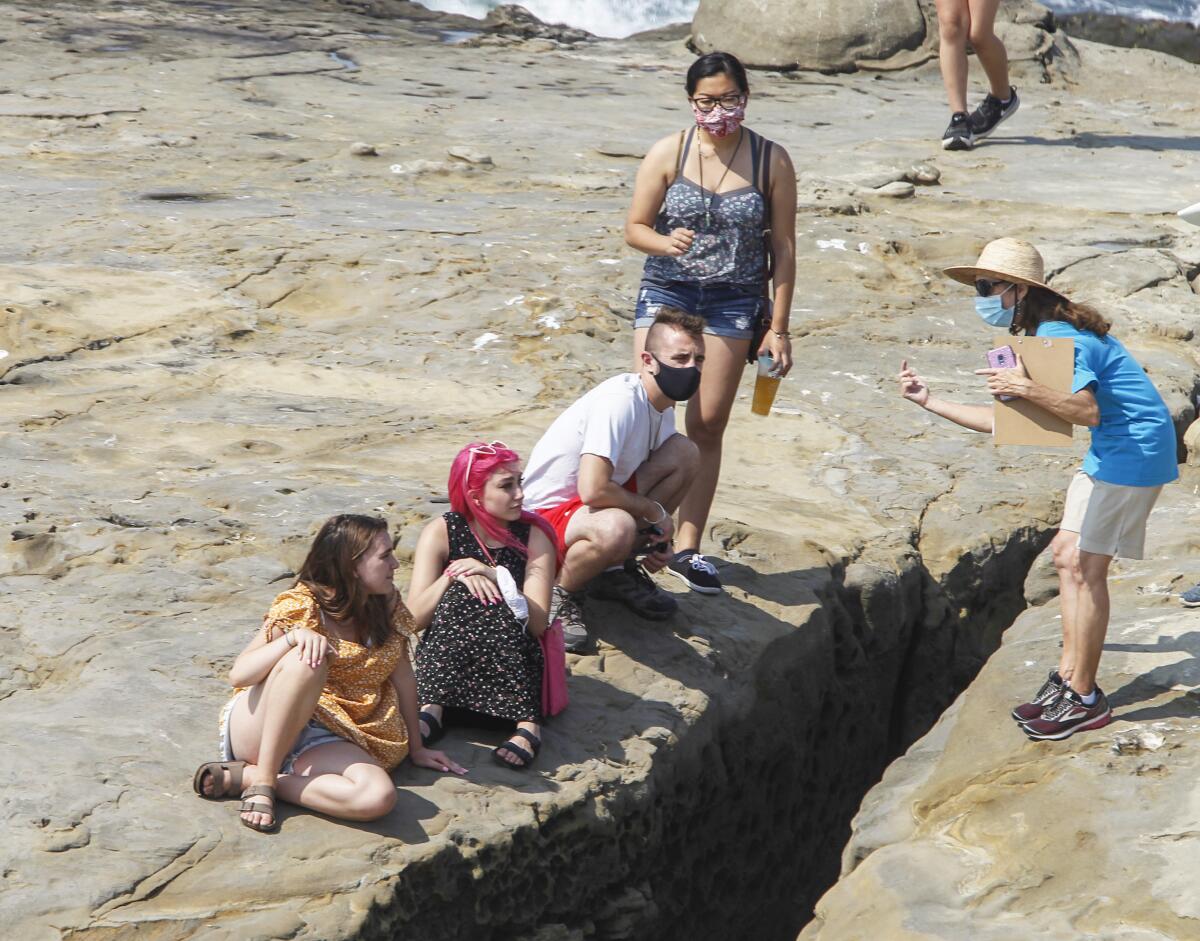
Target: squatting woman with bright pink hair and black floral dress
<point>481,594</point>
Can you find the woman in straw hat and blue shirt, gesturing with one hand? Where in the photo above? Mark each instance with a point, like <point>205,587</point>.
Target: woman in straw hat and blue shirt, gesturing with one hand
<point>1132,455</point>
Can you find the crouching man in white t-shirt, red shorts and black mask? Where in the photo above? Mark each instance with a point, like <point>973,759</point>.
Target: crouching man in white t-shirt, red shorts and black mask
<point>610,474</point>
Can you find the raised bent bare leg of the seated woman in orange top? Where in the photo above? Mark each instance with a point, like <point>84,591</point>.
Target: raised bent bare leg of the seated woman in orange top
<point>265,726</point>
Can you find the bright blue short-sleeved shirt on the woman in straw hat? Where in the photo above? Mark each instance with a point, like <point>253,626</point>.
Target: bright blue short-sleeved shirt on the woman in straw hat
<point>1135,443</point>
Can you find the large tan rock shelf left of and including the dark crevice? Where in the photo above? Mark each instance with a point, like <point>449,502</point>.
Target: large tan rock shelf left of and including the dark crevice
<point>224,326</point>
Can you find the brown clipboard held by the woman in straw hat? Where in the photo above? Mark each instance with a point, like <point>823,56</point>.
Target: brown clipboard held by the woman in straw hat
<point>1051,361</point>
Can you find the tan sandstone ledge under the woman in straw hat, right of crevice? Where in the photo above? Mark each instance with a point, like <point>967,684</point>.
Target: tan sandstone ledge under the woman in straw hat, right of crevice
<point>980,834</point>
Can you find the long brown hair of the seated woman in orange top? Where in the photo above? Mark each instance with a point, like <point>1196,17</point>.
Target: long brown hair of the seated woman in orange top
<point>328,572</point>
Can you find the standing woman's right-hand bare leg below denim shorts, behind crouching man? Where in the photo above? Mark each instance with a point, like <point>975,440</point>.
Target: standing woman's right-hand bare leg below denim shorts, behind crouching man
<point>709,413</point>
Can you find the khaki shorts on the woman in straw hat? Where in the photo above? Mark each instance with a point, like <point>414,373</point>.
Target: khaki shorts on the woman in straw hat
<point>1111,519</point>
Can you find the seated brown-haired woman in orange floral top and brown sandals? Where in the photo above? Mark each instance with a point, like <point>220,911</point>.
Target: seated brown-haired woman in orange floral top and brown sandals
<point>326,693</point>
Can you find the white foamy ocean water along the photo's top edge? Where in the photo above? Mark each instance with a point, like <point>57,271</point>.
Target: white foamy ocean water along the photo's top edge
<point>626,17</point>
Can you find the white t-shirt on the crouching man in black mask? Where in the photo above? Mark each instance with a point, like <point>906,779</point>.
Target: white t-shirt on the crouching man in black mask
<point>615,421</point>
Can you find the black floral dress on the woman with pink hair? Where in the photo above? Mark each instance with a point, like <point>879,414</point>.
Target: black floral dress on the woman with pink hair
<point>479,657</point>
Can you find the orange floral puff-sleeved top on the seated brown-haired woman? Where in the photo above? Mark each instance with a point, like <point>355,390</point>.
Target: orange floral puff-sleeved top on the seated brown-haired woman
<point>359,702</point>
